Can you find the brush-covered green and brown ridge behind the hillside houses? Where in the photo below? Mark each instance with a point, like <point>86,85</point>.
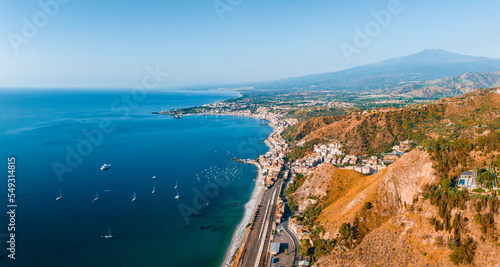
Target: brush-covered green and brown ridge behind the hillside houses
<point>377,130</point>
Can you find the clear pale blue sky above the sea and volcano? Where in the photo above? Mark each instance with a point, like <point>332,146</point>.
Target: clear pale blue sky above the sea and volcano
<point>110,44</point>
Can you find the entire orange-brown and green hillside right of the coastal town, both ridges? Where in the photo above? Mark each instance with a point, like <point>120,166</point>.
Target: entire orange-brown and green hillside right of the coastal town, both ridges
<point>410,213</point>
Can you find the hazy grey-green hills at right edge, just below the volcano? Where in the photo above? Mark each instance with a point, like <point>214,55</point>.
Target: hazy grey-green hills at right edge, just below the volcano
<point>451,86</point>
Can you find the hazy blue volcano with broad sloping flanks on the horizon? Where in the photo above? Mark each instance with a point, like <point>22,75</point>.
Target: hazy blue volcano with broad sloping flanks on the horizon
<point>430,64</point>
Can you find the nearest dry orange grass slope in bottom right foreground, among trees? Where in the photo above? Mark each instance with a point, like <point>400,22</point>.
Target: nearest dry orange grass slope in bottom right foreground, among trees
<point>408,239</point>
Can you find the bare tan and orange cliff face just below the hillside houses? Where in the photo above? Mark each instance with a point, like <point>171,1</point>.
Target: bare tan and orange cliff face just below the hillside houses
<point>387,190</point>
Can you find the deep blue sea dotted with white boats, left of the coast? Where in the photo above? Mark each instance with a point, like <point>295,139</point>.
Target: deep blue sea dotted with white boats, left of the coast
<point>61,138</point>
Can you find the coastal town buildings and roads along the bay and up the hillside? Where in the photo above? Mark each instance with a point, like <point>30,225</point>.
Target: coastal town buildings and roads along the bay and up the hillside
<point>273,236</point>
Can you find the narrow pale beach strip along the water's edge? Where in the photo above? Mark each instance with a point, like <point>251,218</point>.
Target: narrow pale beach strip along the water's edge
<point>250,208</point>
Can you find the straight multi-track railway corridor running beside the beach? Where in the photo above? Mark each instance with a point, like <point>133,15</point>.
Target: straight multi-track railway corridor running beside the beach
<point>255,249</point>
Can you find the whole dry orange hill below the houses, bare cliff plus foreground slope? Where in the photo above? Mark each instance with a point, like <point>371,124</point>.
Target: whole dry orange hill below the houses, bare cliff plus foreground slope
<point>397,228</point>
